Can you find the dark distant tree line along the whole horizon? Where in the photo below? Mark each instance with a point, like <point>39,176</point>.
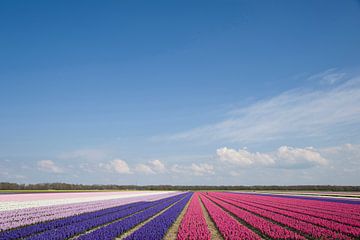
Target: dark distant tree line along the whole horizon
<point>67,186</point>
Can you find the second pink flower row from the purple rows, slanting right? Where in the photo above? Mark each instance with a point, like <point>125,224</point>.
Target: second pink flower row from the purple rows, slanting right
<point>228,226</point>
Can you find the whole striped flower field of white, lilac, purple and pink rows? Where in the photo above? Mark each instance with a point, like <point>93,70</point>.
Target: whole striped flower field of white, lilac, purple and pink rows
<point>176,215</point>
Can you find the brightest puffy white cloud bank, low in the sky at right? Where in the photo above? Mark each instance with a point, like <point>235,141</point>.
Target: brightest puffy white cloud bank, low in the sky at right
<point>283,157</point>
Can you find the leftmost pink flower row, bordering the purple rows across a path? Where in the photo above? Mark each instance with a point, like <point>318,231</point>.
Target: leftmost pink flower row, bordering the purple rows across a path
<point>193,225</point>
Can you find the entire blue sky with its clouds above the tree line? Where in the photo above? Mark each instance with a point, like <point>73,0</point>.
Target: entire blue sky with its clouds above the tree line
<point>147,92</point>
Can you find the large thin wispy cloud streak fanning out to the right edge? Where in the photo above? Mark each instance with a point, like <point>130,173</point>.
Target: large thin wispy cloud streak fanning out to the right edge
<point>296,114</point>
